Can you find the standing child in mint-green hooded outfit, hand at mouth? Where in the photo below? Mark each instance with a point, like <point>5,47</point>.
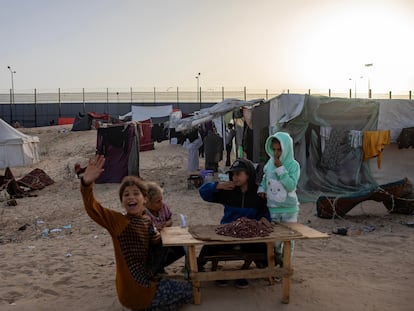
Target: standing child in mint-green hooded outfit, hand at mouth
<point>280,178</point>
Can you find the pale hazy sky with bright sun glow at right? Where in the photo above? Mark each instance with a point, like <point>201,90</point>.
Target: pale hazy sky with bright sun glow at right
<point>296,44</point>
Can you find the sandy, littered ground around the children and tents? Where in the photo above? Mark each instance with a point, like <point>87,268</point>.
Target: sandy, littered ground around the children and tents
<point>74,269</point>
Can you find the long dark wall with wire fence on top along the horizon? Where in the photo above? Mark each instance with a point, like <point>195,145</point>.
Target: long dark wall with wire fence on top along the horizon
<point>39,107</point>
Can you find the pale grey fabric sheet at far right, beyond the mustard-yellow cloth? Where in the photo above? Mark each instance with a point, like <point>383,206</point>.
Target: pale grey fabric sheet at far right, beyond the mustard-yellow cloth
<point>394,115</point>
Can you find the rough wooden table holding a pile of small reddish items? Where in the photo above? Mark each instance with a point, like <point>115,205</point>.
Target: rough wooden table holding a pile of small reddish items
<point>177,236</point>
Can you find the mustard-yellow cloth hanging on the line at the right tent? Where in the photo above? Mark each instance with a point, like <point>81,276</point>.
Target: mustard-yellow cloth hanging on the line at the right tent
<point>373,143</point>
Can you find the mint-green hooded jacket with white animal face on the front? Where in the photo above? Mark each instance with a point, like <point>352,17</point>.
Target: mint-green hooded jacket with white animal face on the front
<point>279,183</point>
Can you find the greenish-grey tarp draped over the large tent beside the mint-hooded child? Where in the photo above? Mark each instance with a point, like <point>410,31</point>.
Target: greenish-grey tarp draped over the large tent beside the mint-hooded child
<point>339,168</point>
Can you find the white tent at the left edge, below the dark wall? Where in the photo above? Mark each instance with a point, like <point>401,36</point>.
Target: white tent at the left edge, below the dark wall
<point>16,148</point>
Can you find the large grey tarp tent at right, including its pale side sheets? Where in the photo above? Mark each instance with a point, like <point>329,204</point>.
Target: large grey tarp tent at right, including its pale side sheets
<point>322,127</point>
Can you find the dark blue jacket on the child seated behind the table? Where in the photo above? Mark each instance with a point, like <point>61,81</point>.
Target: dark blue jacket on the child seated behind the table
<point>236,203</point>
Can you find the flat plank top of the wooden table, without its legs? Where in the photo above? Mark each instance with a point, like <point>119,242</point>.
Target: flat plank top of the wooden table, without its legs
<point>175,236</point>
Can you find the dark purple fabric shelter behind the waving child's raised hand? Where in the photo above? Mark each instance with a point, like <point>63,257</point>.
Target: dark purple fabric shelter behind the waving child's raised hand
<point>120,146</point>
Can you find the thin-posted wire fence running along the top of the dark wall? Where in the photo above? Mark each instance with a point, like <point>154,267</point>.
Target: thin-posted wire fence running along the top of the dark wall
<point>171,95</point>
